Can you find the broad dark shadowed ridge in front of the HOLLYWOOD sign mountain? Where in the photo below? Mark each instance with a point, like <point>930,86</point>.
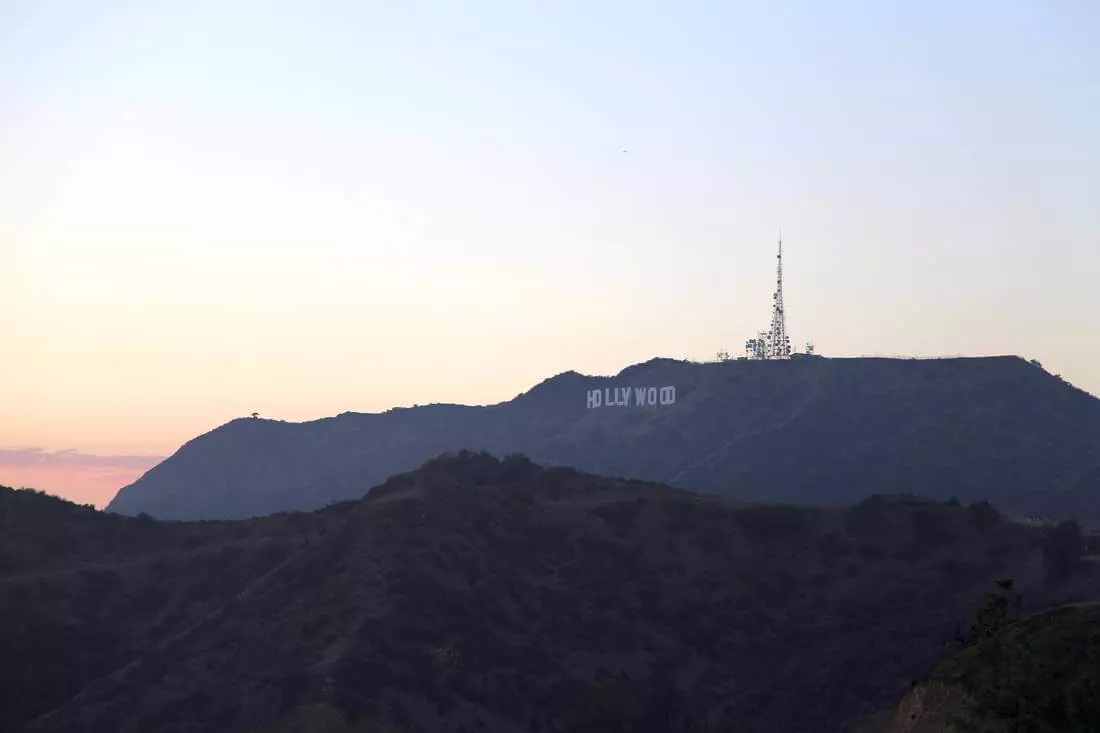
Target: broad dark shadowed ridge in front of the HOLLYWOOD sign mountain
<point>477,595</point>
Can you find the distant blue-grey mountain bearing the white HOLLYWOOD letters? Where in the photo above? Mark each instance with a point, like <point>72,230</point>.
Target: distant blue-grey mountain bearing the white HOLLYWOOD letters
<point>815,431</point>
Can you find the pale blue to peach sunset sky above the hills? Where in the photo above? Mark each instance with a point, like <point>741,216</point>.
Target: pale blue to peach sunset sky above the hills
<point>212,209</point>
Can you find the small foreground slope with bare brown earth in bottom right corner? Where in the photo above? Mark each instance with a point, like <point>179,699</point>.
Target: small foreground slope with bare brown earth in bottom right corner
<point>1041,674</point>
